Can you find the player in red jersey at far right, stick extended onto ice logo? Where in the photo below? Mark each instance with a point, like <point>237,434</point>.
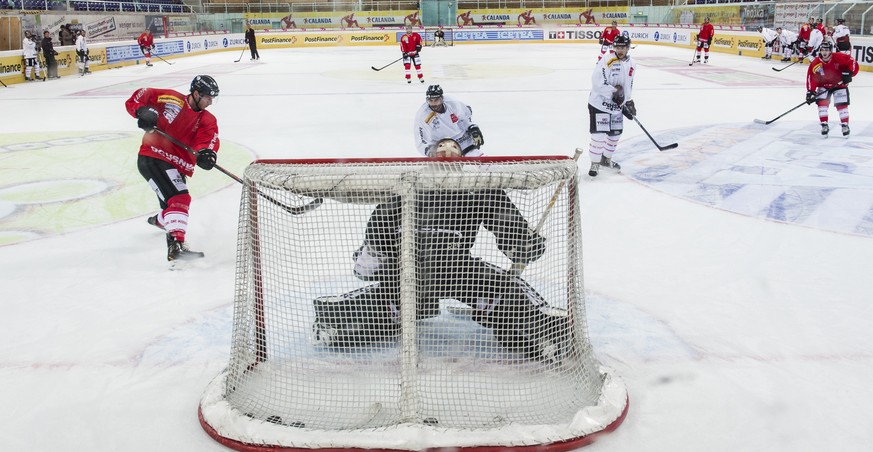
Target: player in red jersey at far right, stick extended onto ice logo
<point>829,75</point>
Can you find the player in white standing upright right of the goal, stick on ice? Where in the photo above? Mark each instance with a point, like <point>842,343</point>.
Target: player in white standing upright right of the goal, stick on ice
<point>611,88</point>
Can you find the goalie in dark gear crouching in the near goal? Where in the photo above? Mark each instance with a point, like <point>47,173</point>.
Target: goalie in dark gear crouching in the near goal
<point>447,224</point>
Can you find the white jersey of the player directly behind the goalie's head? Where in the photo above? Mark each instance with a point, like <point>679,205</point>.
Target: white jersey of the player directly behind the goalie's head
<point>430,127</point>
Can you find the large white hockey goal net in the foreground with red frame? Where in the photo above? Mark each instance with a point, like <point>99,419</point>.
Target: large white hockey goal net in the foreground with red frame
<point>471,334</point>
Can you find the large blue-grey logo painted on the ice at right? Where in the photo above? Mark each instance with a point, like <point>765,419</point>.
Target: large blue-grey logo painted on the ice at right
<point>770,173</point>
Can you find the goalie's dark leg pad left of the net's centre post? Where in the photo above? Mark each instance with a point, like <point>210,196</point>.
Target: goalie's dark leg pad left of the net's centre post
<point>357,318</point>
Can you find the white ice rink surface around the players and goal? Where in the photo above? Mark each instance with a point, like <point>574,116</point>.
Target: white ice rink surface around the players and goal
<point>728,281</point>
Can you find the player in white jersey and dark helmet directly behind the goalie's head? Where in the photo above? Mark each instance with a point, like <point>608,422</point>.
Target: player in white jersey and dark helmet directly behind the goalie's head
<point>440,117</point>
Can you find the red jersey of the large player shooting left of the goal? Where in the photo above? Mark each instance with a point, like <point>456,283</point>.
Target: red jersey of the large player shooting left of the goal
<point>196,129</point>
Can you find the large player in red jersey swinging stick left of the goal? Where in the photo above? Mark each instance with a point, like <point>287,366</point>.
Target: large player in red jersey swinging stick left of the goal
<point>166,165</point>
